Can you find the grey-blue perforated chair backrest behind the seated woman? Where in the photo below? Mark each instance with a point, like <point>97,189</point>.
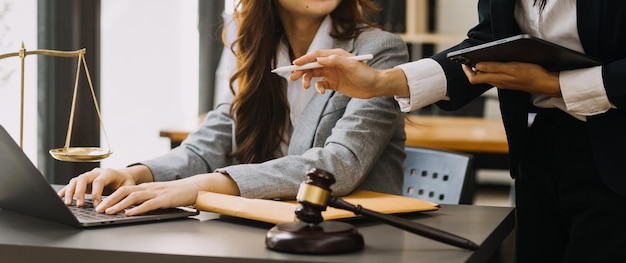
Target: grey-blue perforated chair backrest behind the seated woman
<point>440,176</point>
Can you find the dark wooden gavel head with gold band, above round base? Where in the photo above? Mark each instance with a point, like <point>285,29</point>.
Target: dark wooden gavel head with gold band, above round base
<point>313,196</point>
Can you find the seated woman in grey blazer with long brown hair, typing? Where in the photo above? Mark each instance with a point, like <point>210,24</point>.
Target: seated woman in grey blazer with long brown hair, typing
<point>261,143</point>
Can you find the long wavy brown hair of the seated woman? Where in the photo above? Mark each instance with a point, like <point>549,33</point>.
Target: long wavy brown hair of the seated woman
<point>260,108</point>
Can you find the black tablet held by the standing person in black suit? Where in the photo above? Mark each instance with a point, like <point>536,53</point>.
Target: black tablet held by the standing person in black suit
<point>525,48</point>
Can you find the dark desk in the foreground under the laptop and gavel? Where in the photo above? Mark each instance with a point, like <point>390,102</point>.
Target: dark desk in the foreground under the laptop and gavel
<point>211,238</point>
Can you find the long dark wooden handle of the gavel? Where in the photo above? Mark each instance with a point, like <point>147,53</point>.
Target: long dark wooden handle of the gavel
<point>411,226</point>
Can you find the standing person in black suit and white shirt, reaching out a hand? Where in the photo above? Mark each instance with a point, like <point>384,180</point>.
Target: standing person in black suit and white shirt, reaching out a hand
<point>566,130</point>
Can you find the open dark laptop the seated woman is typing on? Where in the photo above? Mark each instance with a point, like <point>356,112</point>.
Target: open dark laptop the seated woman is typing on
<point>24,189</point>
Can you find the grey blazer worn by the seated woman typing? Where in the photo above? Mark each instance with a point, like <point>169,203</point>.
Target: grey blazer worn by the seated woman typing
<point>360,141</point>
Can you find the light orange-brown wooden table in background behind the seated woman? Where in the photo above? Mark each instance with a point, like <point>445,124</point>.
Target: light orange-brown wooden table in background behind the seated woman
<point>481,137</point>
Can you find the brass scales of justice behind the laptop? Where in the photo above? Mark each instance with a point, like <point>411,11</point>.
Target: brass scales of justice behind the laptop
<point>67,153</point>
